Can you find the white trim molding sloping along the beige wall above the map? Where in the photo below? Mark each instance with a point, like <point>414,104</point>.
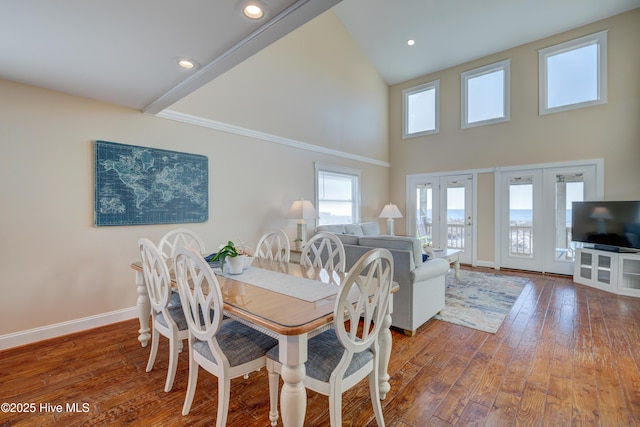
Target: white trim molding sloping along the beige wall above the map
<point>250,133</point>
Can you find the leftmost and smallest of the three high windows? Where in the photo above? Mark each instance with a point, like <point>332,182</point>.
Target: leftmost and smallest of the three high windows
<point>421,105</point>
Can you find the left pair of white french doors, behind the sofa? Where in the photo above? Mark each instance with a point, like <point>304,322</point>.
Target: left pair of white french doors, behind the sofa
<point>444,212</point>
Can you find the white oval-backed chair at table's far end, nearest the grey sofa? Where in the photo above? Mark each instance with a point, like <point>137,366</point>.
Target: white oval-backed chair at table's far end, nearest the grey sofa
<point>324,250</point>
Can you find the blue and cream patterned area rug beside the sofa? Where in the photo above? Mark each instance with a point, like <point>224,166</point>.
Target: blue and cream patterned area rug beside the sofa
<point>480,300</point>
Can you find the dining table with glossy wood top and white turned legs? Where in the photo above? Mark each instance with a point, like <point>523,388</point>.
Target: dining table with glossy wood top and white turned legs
<point>292,320</point>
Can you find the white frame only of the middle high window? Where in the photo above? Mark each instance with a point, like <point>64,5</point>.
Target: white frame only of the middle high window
<point>478,72</point>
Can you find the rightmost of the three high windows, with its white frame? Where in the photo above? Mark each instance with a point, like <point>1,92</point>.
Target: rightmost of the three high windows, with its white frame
<point>573,74</point>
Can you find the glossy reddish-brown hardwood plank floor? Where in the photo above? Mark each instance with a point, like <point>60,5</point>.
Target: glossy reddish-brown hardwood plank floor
<point>566,355</point>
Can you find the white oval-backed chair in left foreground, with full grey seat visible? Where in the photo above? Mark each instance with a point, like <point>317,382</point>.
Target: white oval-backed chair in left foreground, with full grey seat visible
<point>227,349</point>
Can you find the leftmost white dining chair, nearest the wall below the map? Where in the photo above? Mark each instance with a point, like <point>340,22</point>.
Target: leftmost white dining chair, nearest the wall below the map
<point>167,319</point>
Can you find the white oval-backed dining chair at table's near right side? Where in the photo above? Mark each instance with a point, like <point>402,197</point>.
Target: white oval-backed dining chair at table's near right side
<point>341,357</point>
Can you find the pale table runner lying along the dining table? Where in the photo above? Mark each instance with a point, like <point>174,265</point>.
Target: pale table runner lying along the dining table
<point>297,287</point>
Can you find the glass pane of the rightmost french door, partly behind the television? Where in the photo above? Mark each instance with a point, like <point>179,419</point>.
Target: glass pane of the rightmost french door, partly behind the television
<point>569,189</point>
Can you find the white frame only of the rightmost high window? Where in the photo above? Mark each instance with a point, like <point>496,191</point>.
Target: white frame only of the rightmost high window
<point>600,40</point>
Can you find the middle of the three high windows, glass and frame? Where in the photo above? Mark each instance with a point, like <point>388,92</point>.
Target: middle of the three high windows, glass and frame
<point>485,95</point>
